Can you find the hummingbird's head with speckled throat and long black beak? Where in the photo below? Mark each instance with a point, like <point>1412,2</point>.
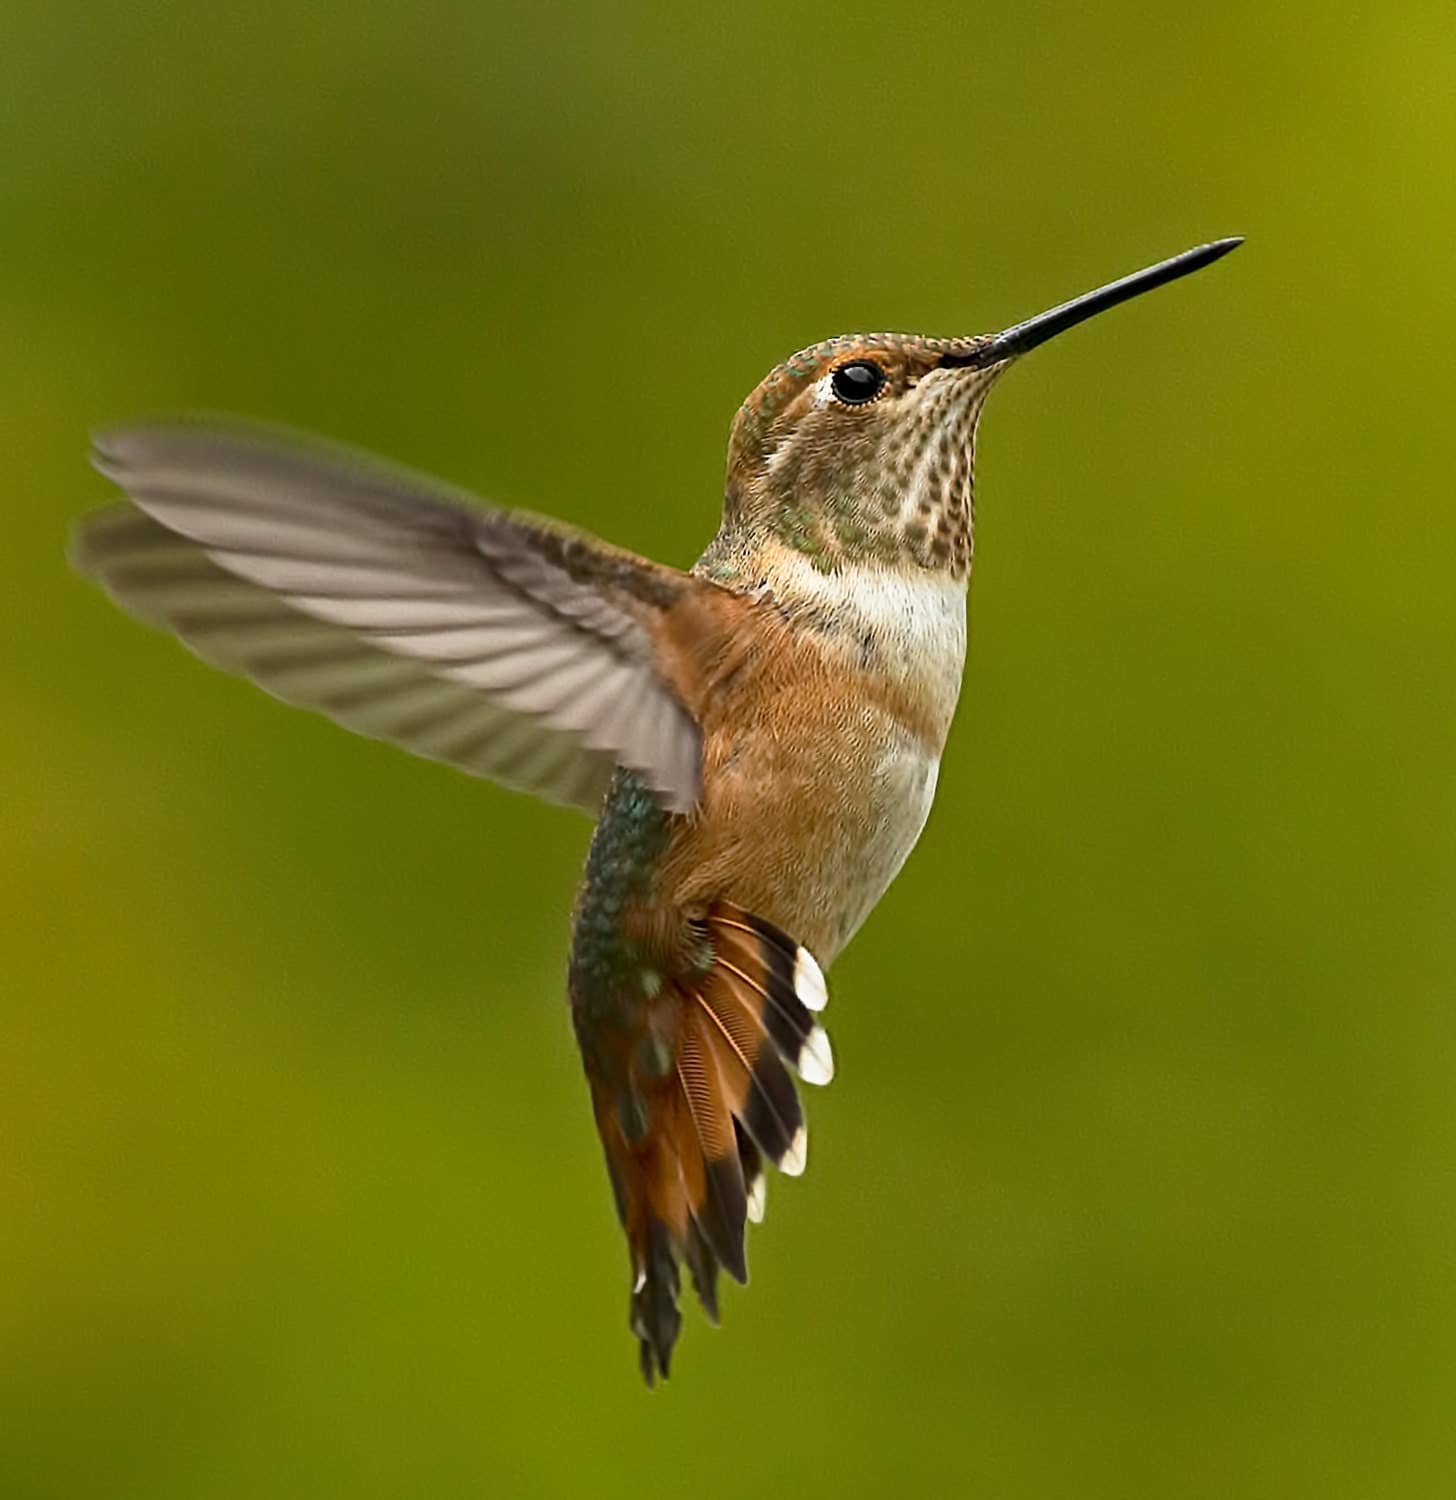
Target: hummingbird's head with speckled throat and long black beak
<point>861,449</point>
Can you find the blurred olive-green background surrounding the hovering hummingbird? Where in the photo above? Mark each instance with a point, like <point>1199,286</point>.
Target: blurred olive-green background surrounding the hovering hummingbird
<point>1137,1178</point>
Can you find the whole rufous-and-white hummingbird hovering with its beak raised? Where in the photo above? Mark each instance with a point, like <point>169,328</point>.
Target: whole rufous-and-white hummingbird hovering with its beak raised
<point>758,739</point>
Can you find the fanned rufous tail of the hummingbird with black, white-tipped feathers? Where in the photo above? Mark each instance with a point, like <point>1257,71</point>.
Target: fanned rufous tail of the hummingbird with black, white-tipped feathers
<point>709,1103</point>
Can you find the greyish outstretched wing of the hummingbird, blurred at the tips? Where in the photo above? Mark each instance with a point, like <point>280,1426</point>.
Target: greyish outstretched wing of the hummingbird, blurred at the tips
<point>496,643</point>
